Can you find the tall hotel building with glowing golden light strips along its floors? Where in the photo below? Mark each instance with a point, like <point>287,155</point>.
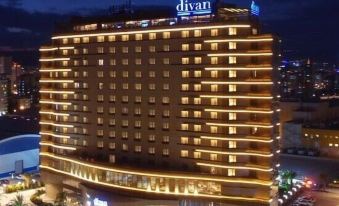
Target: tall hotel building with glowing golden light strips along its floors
<point>179,108</point>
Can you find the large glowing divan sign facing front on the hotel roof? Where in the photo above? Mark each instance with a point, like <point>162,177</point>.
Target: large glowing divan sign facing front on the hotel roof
<point>189,7</point>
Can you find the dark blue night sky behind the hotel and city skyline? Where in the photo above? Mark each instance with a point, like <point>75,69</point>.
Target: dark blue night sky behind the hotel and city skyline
<point>308,28</point>
